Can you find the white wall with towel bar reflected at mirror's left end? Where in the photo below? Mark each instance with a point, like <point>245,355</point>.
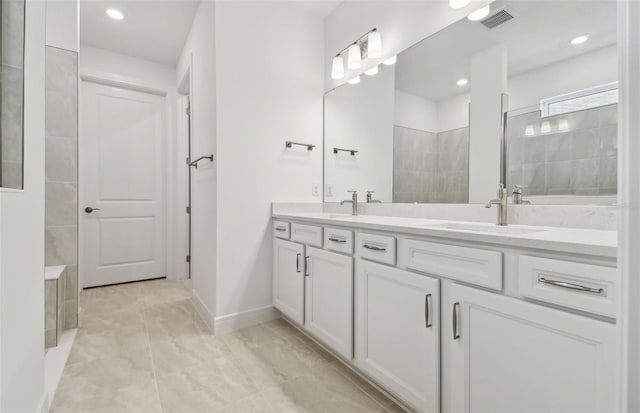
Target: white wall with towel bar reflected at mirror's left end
<point>361,117</point>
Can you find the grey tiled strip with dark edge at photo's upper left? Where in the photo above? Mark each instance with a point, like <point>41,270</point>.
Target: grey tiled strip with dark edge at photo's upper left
<point>11,93</point>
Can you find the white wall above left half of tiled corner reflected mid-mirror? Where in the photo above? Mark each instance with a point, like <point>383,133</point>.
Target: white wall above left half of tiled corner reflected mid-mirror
<point>415,112</point>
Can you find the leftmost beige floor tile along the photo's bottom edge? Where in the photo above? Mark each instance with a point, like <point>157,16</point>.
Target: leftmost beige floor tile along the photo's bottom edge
<point>139,397</point>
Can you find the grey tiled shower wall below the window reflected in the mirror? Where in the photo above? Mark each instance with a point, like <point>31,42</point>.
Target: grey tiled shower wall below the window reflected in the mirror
<point>579,160</point>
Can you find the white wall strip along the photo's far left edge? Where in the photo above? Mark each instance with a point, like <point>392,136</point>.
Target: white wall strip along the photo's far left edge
<point>22,245</point>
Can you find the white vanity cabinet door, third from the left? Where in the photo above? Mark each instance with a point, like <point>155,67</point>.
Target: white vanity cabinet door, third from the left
<point>398,333</point>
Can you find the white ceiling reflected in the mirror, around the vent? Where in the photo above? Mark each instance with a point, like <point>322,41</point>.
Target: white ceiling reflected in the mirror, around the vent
<point>537,36</point>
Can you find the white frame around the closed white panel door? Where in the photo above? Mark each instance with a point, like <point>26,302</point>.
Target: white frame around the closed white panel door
<point>127,83</point>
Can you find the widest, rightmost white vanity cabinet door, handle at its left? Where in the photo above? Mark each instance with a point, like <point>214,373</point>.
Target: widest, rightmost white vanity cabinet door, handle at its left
<point>506,355</point>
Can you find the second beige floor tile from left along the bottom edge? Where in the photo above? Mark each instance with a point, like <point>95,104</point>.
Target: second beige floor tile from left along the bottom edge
<point>205,388</point>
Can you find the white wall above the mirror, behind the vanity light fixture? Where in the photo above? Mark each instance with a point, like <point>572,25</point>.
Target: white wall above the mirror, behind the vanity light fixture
<point>401,23</point>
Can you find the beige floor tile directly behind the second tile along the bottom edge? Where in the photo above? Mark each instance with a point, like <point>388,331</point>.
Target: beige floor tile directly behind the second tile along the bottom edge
<point>177,354</point>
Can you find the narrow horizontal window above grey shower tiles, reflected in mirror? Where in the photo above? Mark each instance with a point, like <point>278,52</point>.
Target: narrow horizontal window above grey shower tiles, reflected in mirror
<point>581,100</point>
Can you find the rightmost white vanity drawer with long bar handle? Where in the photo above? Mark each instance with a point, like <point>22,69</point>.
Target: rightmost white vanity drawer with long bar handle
<point>585,287</point>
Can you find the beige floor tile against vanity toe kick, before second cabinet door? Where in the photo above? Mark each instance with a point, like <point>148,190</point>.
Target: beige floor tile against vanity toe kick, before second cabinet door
<point>279,361</point>
